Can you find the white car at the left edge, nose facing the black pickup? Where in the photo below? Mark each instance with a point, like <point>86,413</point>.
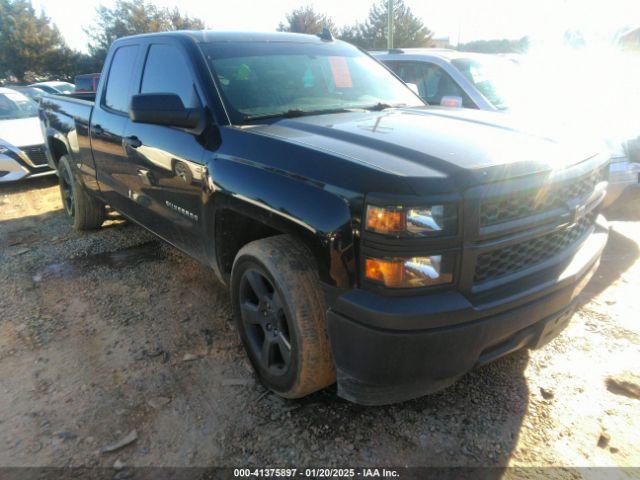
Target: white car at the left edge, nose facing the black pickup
<point>22,152</point>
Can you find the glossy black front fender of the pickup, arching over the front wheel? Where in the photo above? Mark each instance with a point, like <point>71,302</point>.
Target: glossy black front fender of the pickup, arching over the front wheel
<point>280,204</point>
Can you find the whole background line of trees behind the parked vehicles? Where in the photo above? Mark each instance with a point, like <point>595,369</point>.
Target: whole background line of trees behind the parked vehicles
<point>32,48</point>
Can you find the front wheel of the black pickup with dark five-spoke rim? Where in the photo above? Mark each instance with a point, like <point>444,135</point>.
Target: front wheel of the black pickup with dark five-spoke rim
<point>278,303</point>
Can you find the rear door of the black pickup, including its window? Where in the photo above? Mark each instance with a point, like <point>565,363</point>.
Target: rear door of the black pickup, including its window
<point>108,122</point>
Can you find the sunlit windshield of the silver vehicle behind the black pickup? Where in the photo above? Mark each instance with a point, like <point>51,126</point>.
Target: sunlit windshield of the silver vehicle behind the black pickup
<point>495,78</point>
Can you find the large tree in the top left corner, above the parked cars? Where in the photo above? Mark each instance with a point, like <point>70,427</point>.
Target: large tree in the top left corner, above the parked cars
<point>31,47</point>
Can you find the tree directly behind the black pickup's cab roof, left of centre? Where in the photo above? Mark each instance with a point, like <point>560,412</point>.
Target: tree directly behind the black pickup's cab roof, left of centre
<point>130,17</point>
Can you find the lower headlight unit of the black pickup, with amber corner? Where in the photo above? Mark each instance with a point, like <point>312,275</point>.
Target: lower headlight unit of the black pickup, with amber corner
<point>411,272</point>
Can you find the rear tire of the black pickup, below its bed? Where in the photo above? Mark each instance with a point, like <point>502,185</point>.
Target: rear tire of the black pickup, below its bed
<point>87,212</point>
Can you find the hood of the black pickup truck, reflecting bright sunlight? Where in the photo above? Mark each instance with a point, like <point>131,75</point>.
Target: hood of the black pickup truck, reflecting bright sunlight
<point>431,142</point>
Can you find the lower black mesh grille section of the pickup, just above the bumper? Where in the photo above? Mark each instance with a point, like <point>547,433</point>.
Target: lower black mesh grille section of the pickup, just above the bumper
<point>514,258</point>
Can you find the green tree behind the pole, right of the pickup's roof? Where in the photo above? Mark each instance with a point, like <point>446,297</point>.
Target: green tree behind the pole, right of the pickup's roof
<point>408,30</point>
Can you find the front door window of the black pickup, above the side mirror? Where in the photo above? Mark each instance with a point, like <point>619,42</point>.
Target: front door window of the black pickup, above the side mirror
<point>166,71</point>
